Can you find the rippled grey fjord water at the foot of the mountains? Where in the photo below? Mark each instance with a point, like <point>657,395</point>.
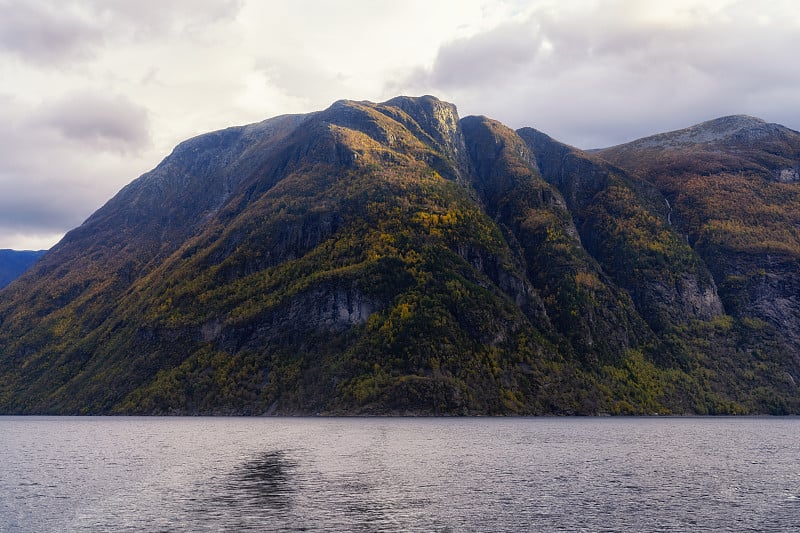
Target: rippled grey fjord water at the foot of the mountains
<point>232,474</point>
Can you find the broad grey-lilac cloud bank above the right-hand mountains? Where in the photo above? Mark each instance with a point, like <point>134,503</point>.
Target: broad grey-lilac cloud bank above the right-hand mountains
<point>605,73</point>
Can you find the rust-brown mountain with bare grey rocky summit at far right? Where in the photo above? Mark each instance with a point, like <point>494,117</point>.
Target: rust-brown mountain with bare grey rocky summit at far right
<point>734,191</point>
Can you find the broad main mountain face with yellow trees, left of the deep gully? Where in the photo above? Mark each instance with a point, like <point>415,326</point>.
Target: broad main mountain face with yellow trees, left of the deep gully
<point>334,262</point>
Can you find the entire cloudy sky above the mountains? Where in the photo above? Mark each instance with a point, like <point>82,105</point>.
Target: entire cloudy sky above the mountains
<point>95,92</point>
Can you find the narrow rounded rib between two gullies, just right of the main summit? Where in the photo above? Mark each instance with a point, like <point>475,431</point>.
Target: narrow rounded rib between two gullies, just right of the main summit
<point>597,318</point>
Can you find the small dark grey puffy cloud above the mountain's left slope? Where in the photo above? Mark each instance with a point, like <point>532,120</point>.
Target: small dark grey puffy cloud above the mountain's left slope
<point>98,121</point>
